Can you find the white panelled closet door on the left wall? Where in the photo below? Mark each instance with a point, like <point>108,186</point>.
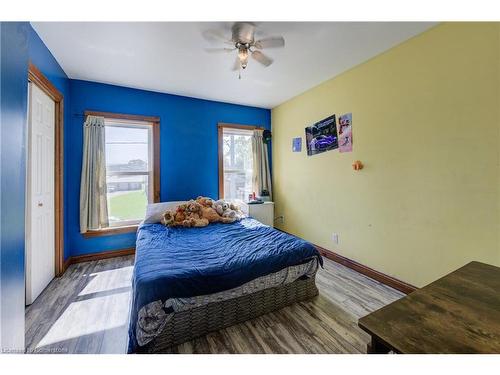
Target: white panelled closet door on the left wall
<point>40,254</point>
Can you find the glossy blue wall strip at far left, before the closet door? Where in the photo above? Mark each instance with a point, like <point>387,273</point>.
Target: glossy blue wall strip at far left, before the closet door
<point>13,104</point>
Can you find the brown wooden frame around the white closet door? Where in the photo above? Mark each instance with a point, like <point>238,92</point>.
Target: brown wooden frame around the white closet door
<point>36,77</point>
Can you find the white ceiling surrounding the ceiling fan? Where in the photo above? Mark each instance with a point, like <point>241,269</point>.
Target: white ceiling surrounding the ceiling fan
<point>170,57</point>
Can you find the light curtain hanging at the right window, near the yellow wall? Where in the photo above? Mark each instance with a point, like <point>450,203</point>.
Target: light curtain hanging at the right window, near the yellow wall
<point>262,174</point>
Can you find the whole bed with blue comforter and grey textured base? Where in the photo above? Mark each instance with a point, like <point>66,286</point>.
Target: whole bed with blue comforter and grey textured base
<point>188,282</point>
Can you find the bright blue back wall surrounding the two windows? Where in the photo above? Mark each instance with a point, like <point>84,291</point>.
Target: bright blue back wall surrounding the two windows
<point>188,143</point>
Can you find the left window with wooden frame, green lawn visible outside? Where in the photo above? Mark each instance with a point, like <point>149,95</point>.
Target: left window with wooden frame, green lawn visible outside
<point>132,168</point>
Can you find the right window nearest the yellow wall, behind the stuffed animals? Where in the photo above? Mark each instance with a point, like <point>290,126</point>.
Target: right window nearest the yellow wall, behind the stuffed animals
<point>235,161</point>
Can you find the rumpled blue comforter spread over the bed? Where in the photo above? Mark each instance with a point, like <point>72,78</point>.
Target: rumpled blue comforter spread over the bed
<point>187,262</point>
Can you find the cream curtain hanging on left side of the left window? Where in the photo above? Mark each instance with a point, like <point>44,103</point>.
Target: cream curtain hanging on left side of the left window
<point>93,199</point>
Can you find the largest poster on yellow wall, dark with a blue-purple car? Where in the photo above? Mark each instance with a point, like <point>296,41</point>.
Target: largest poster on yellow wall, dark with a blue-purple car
<point>322,136</point>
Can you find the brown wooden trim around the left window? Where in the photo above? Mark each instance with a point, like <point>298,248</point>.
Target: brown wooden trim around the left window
<point>155,123</point>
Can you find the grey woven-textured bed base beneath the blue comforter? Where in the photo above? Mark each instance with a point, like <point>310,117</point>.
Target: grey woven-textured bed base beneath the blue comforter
<point>199,321</point>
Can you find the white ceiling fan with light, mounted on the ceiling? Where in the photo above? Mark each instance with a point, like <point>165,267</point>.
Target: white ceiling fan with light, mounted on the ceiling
<point>243,41</point>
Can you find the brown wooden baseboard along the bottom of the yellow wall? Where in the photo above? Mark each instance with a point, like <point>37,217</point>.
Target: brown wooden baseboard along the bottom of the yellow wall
<point>367,271</point>
